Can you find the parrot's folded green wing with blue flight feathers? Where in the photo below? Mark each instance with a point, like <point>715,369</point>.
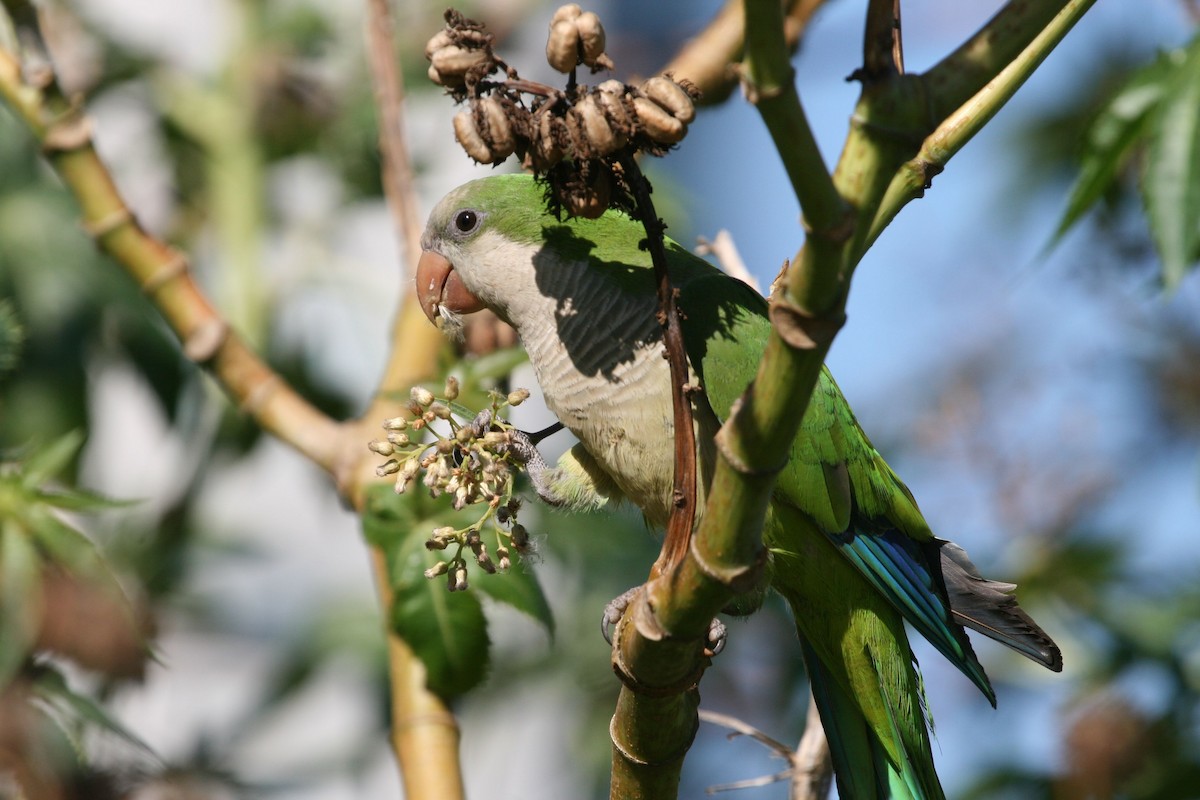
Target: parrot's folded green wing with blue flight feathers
<point>835,476</point>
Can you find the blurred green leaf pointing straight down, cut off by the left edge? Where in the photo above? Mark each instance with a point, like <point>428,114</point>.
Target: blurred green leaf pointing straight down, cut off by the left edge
<point>20,599</point>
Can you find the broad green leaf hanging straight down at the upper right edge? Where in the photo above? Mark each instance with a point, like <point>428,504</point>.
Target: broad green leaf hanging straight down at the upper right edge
<point>1172,183</point>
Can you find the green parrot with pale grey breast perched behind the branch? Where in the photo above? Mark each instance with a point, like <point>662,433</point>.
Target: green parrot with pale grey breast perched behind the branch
<point>851,552</point>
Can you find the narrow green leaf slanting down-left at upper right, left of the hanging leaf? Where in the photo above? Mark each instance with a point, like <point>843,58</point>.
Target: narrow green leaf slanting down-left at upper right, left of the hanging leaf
<point>1117,129</point>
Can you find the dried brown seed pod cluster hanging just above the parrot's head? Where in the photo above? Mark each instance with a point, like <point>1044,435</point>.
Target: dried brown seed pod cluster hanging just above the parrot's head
<point>573,136</point>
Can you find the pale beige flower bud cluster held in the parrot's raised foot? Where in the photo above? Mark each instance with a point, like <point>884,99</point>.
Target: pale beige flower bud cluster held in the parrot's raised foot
<point>471,465</point>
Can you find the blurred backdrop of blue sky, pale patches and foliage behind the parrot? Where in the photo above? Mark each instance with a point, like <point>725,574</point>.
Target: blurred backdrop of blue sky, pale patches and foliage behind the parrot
<point>1041,398</point>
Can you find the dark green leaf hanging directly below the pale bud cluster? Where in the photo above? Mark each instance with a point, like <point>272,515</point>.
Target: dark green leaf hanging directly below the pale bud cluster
<point>447,630</point>
